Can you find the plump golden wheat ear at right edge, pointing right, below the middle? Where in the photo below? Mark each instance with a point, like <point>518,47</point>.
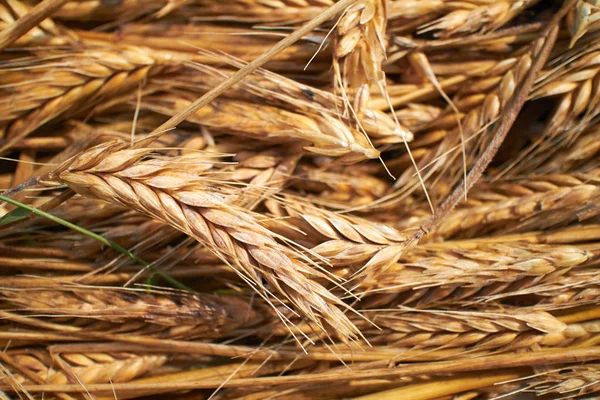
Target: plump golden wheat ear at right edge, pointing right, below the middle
<point>429,275</point>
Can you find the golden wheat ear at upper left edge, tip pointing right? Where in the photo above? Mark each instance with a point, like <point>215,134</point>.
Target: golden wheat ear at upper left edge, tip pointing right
<point>81,80</point>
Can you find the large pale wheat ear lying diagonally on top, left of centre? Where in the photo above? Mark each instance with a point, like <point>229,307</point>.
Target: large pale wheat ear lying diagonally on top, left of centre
<point>171,194</point>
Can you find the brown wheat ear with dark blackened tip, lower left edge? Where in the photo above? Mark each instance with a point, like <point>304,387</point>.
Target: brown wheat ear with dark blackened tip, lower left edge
<point>205,314</point>
